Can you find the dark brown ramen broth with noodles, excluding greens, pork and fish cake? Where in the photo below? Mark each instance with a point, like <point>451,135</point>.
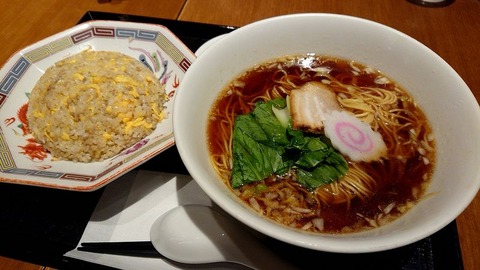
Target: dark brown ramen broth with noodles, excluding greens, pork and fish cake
<point>371,193</point>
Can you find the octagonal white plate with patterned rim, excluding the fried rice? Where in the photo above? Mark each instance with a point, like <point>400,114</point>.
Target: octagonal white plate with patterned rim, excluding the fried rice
<point>20,163</point>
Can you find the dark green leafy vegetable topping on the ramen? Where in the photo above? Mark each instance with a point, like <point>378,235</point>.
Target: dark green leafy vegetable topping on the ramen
<point>264,146</point>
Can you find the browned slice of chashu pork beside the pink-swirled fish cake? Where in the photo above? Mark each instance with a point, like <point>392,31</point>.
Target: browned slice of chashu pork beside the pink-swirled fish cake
<point>309,104</point>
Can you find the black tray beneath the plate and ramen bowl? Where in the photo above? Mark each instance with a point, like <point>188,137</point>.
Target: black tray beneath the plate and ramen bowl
<point>39,225</point>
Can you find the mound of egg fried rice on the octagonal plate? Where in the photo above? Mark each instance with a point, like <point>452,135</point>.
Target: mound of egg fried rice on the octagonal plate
<point>92,105</point>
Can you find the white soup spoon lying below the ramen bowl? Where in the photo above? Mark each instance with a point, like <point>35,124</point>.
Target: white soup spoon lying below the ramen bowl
<point>196,234</point>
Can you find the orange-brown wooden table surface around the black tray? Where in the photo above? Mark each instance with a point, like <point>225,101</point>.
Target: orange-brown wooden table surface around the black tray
<point>453,32</point>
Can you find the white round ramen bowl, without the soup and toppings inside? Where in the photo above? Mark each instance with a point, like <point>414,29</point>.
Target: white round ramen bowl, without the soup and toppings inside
<point>445,98</point>
